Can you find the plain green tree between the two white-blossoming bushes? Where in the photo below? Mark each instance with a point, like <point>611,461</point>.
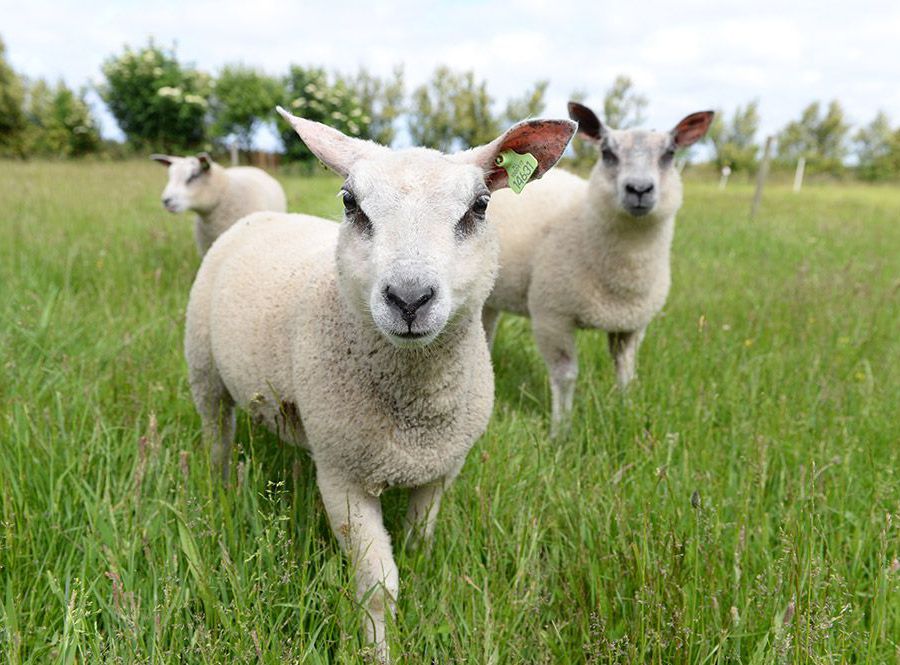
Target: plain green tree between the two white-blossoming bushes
<point>243,100</point>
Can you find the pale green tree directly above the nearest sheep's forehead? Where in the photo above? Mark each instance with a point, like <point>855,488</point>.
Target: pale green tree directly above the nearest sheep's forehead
<point>452,112</point>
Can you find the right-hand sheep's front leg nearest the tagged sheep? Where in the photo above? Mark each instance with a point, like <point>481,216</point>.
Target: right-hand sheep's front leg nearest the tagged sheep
<point>556,341</point>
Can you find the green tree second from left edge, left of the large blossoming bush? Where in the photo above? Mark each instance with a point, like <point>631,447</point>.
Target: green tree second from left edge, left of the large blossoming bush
<point>60,122</point>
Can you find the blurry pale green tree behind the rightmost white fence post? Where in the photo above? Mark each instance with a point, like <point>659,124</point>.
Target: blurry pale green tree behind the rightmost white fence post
<point>820,139</point>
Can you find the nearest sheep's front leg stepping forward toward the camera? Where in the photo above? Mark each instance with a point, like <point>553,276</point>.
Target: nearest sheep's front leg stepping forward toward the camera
<point>356,520</point>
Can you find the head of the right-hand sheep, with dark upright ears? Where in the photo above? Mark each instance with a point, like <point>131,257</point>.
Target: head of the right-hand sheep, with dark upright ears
<point>636,171</point>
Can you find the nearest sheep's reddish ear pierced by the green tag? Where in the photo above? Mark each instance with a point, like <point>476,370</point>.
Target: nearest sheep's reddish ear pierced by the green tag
<point>545,140</point>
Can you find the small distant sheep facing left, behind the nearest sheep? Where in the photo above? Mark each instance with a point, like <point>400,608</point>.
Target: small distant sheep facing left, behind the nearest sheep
<point>218,195</point>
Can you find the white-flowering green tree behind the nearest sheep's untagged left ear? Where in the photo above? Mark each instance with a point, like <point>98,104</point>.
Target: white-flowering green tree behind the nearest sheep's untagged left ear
<point>308,92</point>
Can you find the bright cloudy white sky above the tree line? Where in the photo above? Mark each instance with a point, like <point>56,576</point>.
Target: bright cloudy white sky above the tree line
<point>684,56</point>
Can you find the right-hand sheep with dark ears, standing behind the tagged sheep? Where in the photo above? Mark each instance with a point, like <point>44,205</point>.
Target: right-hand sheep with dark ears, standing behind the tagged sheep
<point>593,253</point>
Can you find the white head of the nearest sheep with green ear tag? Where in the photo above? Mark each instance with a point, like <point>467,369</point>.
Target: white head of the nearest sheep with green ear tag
<point>414,255</point>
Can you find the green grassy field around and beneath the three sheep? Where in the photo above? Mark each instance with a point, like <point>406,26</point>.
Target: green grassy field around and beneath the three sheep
<point>741,504</point>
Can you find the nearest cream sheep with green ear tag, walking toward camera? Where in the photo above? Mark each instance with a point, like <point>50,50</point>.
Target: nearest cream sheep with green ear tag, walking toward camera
<point>362,341</point>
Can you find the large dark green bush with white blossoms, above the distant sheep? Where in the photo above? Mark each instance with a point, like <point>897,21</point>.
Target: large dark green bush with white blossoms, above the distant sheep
<point>157,102</point>
